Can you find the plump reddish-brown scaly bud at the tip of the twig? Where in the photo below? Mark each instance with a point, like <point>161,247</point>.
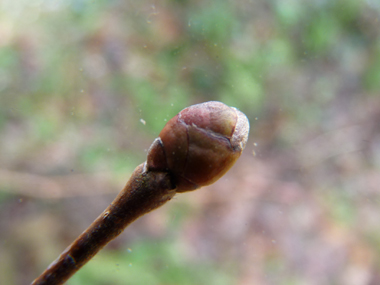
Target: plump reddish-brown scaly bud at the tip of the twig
<point>200,144</point>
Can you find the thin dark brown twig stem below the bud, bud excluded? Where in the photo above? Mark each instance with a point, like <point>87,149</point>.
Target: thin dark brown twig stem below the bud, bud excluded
<point>145,191</point>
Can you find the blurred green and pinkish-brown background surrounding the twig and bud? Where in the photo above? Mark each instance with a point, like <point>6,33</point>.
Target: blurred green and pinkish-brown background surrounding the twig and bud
<point>86,86</point>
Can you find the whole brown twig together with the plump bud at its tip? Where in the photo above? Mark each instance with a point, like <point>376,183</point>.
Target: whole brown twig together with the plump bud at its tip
<point>195,148</point>
